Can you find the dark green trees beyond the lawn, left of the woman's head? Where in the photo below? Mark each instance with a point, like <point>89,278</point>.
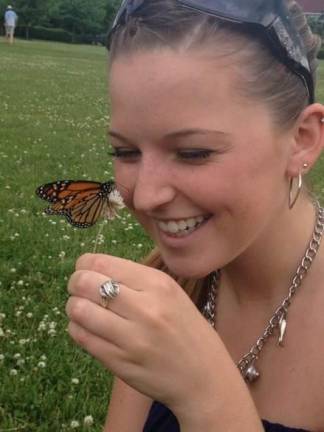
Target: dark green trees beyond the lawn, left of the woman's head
<point>76,17</point>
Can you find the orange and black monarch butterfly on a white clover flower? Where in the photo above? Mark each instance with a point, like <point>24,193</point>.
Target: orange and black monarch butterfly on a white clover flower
<point>82,202</point>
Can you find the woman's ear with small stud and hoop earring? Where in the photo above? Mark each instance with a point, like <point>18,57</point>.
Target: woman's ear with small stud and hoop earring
<point>308,140</point>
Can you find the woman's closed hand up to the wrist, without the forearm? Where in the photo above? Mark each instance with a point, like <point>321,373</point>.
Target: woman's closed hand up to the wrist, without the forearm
<point>151,335</point>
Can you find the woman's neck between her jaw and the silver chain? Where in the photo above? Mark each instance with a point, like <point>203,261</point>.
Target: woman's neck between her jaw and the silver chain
<point>263,274</point>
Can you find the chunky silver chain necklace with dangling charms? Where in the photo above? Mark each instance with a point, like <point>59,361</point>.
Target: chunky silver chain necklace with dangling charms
<point>278,320</point>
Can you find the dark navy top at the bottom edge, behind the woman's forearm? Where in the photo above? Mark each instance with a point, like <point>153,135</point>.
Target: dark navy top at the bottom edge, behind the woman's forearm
<point>161,419</point>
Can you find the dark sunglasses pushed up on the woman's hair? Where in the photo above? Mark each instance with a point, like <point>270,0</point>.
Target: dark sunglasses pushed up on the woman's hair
<point>267,18</point>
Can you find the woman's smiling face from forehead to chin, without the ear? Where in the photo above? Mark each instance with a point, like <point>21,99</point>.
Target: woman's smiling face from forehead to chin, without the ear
<point>202,167</point>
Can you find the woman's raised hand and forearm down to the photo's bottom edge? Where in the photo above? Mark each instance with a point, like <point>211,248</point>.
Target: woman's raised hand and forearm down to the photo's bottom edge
<point>153,338</point>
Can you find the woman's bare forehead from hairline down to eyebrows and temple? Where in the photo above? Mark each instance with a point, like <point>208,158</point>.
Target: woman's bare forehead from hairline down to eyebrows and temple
<point>154,92</point>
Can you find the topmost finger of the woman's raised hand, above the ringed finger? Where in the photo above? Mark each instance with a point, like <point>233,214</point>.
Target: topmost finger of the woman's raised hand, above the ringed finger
<point>128,272</point>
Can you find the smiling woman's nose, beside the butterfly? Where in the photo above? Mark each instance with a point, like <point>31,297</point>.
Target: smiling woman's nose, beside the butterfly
<point>153,186</point>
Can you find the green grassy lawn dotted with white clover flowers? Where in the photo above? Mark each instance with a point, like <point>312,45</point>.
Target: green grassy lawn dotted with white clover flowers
<point>52,126</point>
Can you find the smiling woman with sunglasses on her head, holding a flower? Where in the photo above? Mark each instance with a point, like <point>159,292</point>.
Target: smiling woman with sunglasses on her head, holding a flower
<point>213,125</point>
